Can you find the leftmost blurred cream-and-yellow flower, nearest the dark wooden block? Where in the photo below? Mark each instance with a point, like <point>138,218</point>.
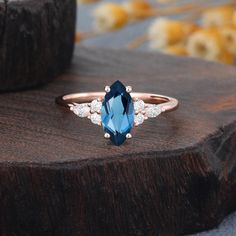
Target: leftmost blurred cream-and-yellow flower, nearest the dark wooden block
<point>109,16</point>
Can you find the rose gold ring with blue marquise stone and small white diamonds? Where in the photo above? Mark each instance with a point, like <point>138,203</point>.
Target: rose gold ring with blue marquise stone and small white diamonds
<point>117,109</point>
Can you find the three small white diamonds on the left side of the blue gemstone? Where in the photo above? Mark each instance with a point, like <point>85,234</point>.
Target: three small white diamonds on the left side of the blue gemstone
<point>91,110</point>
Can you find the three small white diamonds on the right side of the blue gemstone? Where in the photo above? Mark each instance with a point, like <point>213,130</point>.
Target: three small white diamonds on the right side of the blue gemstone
<point>144,111</point>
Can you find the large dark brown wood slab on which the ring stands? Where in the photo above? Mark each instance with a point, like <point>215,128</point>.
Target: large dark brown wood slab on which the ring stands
<point>58,176</point>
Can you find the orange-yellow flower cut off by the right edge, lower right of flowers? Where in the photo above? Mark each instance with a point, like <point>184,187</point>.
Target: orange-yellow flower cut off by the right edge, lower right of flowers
<point>229,35</point>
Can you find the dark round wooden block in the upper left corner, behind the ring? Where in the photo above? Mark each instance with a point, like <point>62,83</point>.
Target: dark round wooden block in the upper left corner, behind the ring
<point>36,41</point>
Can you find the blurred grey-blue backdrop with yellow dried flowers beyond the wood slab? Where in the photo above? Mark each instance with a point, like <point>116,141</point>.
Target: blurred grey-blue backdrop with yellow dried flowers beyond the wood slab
<point>203,29</point>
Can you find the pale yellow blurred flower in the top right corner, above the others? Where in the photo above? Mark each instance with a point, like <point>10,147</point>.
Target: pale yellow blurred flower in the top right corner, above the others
<point>218,16</point>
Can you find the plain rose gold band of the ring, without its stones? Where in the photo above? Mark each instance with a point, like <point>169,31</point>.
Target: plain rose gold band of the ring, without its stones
<point>166,103</point>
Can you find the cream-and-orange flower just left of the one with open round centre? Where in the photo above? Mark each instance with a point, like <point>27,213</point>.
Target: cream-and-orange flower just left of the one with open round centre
<point>164,32</point>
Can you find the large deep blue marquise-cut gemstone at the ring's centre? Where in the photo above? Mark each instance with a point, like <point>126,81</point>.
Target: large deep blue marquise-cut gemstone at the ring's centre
<point>117,113</point>
